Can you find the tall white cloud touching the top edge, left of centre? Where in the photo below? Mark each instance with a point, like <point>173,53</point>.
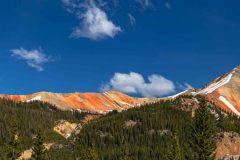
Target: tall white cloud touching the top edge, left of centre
<point>94,22</point>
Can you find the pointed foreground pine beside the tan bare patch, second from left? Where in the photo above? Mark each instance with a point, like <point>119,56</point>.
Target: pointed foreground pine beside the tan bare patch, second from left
<point>39,151</point>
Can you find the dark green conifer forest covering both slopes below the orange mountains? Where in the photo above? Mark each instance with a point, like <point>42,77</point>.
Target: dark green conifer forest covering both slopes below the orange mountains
<point>185,128</point>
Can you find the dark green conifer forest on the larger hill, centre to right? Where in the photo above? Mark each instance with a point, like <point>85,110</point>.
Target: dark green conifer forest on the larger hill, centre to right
<point>159,131</point>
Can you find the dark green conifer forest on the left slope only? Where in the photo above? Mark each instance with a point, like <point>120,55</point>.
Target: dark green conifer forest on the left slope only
<point>25,119</point>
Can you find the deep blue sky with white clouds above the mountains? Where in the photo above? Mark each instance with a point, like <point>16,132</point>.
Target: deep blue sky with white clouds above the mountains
<point>140,47</point>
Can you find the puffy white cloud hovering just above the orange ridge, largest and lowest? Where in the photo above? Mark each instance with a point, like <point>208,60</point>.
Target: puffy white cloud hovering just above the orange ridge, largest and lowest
<point>156,86</point>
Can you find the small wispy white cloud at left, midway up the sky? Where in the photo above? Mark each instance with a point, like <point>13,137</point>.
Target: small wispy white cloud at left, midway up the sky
<point>34,58</point>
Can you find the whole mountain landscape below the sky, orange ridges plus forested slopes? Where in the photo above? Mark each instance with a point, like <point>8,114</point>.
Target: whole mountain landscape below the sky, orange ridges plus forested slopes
<point>74,122</point>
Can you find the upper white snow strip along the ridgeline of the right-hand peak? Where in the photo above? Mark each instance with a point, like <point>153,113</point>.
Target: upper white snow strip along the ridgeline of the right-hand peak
<point>216,85</point>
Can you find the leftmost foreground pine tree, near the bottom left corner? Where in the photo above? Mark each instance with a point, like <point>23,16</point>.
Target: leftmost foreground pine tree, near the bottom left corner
<point>13,149</point>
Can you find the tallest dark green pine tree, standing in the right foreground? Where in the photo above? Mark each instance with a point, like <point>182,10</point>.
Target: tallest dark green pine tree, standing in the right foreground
<point>203,142</point>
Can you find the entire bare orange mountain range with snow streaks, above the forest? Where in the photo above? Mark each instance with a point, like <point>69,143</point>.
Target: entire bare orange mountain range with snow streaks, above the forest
<point>224,91</point>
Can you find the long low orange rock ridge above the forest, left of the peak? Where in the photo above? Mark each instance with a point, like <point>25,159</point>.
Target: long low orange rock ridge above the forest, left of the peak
<point>89,102</point>
